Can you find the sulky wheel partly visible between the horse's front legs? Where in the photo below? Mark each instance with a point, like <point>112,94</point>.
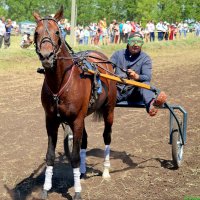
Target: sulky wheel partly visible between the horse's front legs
<point>68,141</point>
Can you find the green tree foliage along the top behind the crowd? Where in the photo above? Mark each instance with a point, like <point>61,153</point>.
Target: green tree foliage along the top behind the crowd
<point>94,10</point>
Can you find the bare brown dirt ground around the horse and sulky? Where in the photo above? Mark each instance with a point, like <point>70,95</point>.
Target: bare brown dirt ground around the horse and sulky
<point>140,149</point>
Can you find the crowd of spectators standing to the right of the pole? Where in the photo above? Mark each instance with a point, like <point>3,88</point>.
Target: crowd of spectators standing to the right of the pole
<point>118,32</point>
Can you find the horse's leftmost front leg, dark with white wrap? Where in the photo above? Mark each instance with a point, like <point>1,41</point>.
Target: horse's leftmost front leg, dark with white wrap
<point>52,132</point>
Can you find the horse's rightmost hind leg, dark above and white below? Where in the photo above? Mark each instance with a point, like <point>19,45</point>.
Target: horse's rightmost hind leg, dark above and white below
<point>108,120</point>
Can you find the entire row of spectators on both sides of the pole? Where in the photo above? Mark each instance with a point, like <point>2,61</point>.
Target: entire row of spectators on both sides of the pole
<point>116,32</point>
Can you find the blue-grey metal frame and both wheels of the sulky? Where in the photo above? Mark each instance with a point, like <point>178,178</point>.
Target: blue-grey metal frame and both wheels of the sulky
<point>176,126</point>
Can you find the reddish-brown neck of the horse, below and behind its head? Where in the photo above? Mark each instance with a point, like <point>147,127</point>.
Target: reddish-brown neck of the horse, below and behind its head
<point>57,77</point>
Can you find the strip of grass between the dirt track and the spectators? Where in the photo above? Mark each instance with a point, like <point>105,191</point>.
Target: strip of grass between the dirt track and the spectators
<point>17,59</point>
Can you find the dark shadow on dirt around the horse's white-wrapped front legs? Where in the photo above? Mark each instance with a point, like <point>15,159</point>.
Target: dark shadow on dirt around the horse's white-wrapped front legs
<point>61,182</point>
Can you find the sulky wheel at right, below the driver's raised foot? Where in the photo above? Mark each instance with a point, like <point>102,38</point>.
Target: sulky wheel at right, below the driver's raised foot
<point>177,147</point>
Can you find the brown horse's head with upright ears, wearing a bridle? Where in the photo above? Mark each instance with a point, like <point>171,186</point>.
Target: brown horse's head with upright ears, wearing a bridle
<point>48,38</point>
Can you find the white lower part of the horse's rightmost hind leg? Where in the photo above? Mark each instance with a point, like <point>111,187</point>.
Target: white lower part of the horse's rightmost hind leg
<point>106,164</point>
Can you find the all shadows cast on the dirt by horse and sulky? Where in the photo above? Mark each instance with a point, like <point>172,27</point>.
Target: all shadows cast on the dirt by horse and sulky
<point>63,176</point>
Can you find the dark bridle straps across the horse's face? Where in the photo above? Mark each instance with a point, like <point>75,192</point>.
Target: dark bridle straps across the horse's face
<point>48,38</point>
